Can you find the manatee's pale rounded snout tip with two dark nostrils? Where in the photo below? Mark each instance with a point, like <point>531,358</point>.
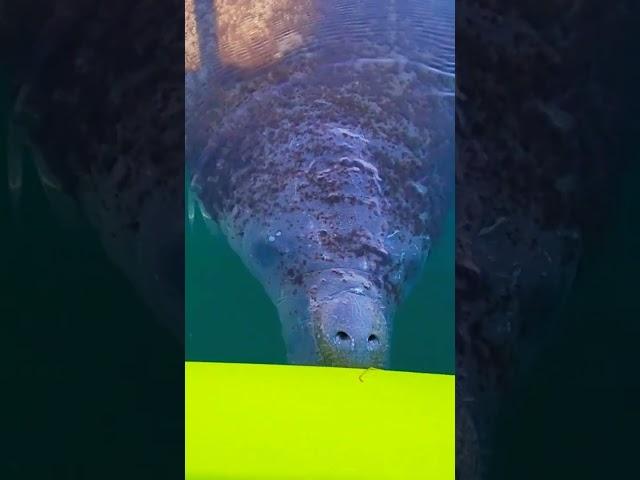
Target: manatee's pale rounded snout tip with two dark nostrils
<point>350,330</point>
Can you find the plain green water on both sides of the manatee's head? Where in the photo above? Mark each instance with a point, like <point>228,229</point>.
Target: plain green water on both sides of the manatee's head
<point>229,317</point>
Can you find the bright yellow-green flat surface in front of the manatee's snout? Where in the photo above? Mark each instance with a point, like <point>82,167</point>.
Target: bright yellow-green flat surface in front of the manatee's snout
<point>254,422</point>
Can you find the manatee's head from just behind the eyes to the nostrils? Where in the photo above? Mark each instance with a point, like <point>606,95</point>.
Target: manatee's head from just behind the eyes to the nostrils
<point>335,281</point>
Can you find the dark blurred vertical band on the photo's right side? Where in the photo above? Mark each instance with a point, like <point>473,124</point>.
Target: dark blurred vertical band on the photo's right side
<point>546,207</point>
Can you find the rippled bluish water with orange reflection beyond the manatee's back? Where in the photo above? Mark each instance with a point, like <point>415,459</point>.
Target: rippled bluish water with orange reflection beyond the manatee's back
<point>237,50</point>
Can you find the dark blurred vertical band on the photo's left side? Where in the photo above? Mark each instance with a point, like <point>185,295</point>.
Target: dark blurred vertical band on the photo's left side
<point>91,143</point>
